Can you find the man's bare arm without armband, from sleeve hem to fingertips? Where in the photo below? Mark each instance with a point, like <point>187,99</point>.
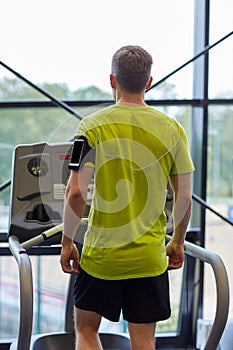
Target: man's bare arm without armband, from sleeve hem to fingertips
<point>182,188</point>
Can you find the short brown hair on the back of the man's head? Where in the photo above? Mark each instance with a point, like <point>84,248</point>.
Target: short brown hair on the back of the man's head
<point>131,66</point>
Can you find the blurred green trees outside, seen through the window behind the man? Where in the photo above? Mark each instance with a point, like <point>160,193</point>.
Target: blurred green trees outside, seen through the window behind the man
<point>30,125</point>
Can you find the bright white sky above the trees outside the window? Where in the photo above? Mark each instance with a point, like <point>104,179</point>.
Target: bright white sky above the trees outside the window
<point>72,42</point>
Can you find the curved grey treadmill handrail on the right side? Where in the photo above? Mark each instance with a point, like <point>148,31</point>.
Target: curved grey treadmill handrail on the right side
<point>222,290</point>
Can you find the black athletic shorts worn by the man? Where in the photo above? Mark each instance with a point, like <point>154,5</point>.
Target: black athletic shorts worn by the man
<point>141,300</point>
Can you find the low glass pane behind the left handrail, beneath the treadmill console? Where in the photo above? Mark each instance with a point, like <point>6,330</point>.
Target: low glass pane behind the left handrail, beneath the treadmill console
<point>49,289</point>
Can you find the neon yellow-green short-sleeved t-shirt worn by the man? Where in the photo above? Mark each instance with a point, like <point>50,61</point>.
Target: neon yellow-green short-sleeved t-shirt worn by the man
<point>137,149</point>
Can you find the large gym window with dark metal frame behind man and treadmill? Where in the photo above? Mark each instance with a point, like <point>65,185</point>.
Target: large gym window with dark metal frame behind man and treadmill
<point>66,49</point>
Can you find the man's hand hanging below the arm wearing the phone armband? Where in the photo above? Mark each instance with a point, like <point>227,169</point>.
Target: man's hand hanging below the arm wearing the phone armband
<point>70,253</point>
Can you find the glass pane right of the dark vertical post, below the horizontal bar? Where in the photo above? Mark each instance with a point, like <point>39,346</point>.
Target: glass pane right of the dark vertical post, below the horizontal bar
<point>219,236</point>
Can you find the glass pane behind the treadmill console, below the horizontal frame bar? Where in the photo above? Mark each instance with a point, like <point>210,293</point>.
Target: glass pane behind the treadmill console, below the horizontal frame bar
<point>25,126</point>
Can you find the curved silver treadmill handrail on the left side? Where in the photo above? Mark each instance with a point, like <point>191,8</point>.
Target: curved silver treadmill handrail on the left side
<point>26,293</point>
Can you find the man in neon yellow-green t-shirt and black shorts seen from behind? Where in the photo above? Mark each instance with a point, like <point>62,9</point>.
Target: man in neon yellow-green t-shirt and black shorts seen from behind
<point>124,263</point>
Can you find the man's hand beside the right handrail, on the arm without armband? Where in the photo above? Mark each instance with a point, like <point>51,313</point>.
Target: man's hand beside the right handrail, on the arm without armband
<point>175,253</point>
